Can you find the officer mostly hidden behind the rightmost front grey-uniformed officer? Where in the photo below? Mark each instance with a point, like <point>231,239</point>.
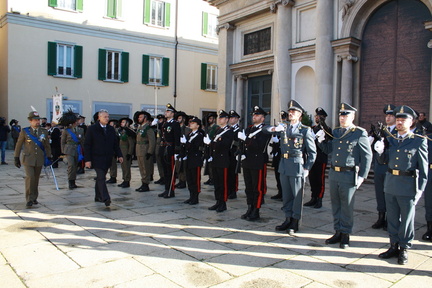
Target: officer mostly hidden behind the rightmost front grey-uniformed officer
<point>380,171</point>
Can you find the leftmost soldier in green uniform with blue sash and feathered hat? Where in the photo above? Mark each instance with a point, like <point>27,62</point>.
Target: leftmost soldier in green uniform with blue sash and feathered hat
<point>36,153</point>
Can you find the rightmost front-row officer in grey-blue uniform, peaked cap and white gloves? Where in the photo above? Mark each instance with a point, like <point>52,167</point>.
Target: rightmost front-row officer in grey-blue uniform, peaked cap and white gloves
<point>406,179</point>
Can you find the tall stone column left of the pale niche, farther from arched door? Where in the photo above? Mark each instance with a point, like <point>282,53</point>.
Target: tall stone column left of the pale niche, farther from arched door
<point>281,87</point>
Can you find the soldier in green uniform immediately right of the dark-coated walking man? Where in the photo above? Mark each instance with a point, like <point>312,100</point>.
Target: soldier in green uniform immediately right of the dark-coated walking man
<point>127,146</point>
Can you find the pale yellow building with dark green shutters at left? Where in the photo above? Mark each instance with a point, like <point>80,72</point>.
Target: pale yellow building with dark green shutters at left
<point>122,56</point>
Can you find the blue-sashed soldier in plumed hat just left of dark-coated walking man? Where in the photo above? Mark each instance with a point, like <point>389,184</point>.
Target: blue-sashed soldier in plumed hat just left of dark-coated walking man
<point>72,141</point>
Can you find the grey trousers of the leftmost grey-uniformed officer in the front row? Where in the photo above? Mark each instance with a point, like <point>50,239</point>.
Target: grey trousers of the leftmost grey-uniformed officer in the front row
<point>292,195</point>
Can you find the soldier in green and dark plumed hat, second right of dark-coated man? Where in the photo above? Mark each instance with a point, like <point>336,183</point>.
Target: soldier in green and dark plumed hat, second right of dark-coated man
<point>145,145</point>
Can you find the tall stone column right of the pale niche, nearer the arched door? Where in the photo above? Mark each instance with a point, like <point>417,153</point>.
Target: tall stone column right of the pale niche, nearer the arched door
<point>324,56</point>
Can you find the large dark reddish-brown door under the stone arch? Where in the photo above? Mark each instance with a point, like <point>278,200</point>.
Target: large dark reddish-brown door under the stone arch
<point>395,60</point>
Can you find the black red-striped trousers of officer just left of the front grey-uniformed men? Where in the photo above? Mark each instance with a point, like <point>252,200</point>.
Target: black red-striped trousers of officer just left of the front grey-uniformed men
<point>256,186</point>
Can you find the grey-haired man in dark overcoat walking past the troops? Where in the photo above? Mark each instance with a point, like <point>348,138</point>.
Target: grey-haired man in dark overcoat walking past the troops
<point>100,146</point>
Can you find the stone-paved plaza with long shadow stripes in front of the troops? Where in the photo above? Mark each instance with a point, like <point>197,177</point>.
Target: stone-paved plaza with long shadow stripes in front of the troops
<point>142,240</point>
